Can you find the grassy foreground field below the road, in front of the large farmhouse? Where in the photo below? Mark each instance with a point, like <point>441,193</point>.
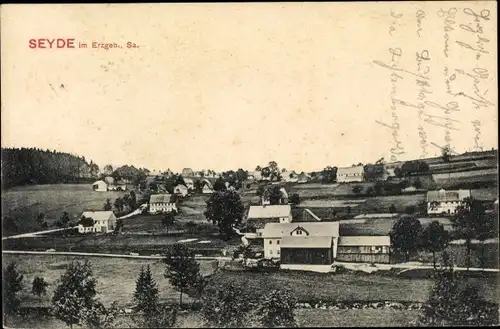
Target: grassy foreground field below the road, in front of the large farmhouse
<point>347,287</point>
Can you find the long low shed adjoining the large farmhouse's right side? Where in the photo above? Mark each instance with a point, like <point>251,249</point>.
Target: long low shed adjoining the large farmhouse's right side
<point>365,249</point>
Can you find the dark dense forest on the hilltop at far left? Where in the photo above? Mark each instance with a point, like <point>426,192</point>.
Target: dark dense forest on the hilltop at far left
<point>29,166</point>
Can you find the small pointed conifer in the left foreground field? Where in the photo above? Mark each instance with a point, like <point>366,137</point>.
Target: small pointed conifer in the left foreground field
<point>146,292</point>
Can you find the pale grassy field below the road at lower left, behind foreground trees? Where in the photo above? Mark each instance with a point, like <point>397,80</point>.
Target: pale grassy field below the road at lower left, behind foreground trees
<point>116,277</point>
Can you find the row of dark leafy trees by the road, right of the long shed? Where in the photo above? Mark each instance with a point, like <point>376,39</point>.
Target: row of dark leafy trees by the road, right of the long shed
<point>470,222</point>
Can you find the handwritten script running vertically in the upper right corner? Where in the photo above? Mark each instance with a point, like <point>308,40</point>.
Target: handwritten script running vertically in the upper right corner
<point>438,70</point>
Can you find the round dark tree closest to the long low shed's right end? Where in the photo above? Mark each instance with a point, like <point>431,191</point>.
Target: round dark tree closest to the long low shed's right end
<point>405,235</point>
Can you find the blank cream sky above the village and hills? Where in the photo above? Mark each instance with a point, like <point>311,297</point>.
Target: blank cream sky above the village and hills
<point>227,86</point>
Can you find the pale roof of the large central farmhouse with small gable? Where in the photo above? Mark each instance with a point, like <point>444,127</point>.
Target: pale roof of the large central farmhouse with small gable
<point>272,230</point>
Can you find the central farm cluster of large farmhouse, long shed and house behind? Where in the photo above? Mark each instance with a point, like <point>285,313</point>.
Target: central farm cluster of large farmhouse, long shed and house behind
<point>314,245</point>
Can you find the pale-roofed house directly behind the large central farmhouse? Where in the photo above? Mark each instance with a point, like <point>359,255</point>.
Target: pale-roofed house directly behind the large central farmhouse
<point>258,216</point>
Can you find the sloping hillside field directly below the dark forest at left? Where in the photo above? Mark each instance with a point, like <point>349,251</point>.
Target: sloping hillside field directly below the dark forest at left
<point>25,203</point>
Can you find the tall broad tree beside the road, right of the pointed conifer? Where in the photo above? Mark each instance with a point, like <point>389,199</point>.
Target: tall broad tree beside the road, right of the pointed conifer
<point>182,270</point>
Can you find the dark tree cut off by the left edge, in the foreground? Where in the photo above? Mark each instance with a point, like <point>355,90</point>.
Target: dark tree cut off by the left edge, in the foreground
<point>12,285</point>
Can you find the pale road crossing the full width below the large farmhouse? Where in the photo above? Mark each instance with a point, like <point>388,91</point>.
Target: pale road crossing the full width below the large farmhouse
<point>404,266</point>
